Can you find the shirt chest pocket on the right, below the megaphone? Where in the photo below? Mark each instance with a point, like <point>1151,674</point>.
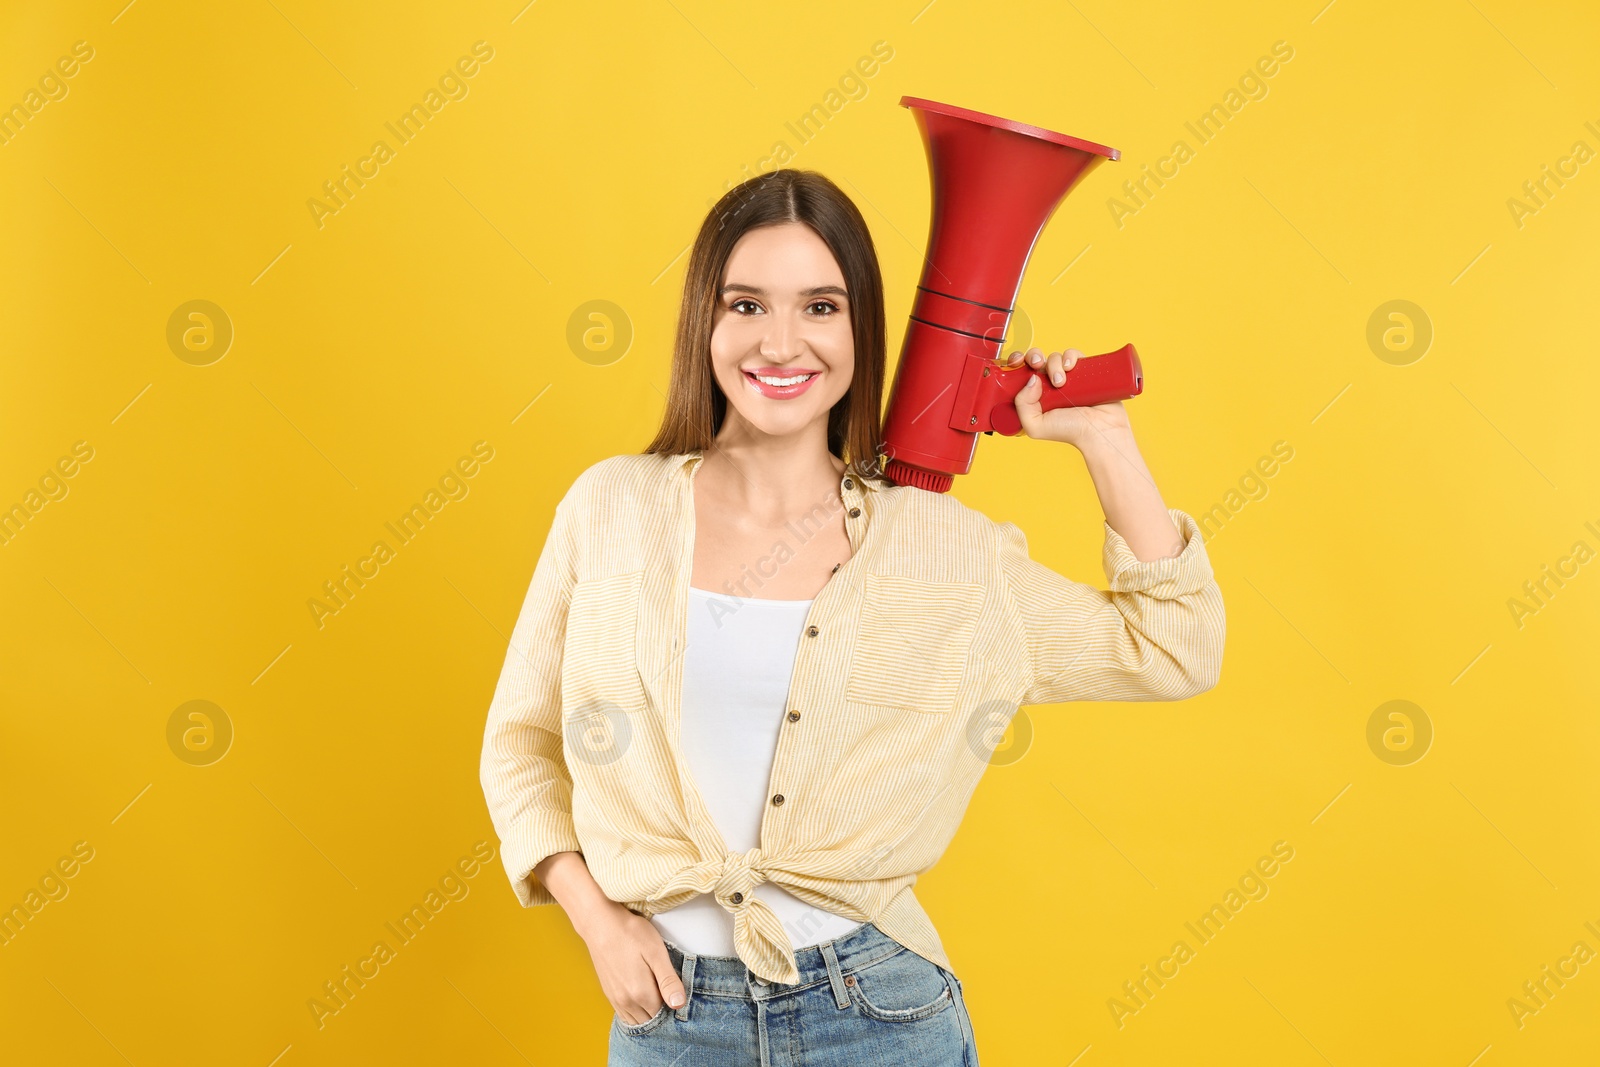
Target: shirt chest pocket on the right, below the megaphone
<point>914,641</point>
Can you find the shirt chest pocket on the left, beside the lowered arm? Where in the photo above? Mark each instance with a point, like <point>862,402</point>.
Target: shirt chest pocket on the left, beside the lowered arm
<point>601,655</point>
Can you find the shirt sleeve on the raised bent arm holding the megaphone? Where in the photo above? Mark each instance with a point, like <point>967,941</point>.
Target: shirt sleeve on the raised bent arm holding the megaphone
<point>1154,636</point>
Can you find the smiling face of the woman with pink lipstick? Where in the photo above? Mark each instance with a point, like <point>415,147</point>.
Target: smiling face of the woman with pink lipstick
<point>783,314</point>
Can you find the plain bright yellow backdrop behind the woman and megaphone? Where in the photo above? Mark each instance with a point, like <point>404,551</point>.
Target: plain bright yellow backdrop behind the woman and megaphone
<point>430,313</point>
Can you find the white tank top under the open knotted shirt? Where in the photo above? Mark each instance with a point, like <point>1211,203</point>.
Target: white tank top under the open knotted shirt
<point>737,671</point>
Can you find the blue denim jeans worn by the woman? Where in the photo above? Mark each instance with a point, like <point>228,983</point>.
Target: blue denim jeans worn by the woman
<point>863,1001</point>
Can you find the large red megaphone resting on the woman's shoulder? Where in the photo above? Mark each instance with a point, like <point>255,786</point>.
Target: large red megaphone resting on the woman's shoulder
<point>996,183</point>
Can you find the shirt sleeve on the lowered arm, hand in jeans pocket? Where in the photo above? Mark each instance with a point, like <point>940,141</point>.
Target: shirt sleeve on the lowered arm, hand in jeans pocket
<point>522,770</point>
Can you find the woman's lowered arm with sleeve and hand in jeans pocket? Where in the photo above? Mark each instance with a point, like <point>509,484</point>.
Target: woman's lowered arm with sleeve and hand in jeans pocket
<point>530,791</point>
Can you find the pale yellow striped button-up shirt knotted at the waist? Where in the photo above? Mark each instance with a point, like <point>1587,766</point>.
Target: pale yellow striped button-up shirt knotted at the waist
<point>913,661</point>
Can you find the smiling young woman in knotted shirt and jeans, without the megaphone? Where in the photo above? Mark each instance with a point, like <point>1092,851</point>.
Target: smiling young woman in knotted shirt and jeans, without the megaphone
<point>754,684</point>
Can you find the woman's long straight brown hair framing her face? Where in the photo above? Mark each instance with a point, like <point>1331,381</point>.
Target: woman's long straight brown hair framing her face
<point>697,406</point>
